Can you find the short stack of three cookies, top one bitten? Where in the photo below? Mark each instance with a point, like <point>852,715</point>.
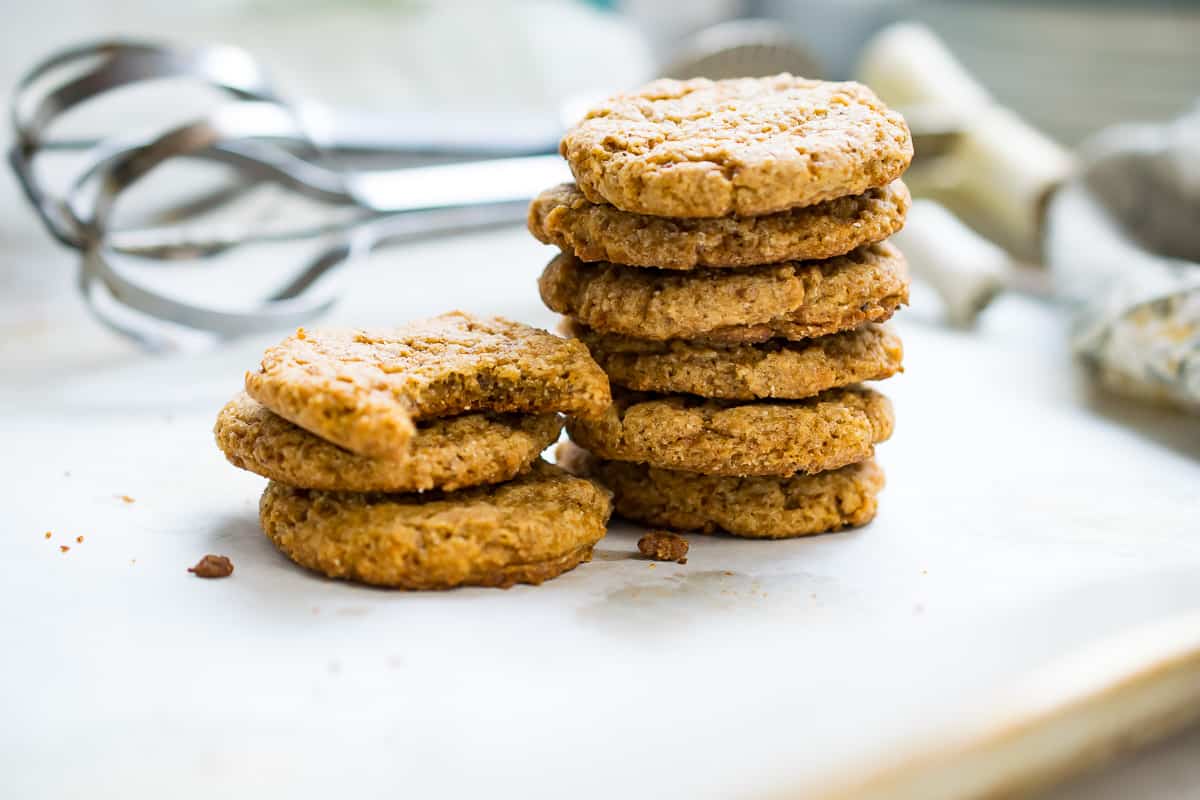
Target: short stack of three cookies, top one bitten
<point>411,458</point>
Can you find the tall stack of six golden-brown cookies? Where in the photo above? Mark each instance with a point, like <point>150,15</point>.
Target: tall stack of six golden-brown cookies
<point>724,258</point>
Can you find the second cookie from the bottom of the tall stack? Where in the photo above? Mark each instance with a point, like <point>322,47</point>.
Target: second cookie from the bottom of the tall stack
<point>713,437</point>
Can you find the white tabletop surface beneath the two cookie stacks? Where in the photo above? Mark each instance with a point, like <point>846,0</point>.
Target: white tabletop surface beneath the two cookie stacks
<point>1025,518</point>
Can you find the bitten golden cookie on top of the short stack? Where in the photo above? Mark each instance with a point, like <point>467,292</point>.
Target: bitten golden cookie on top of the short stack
<point>365,390</point>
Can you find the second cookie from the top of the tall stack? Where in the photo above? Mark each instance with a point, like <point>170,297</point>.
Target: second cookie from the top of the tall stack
<point>598,232</point>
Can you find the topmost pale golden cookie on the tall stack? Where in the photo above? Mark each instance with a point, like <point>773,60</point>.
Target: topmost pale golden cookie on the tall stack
<point>747,147</point>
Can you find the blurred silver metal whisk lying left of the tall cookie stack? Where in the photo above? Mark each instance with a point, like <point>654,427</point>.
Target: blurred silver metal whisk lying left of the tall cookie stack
<point>263,139</point>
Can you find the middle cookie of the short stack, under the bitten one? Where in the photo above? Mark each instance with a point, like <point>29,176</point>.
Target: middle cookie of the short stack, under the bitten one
<point>446,454</point>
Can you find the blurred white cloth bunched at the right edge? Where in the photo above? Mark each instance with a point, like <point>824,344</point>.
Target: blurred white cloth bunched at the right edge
<point>1124,242</point>
